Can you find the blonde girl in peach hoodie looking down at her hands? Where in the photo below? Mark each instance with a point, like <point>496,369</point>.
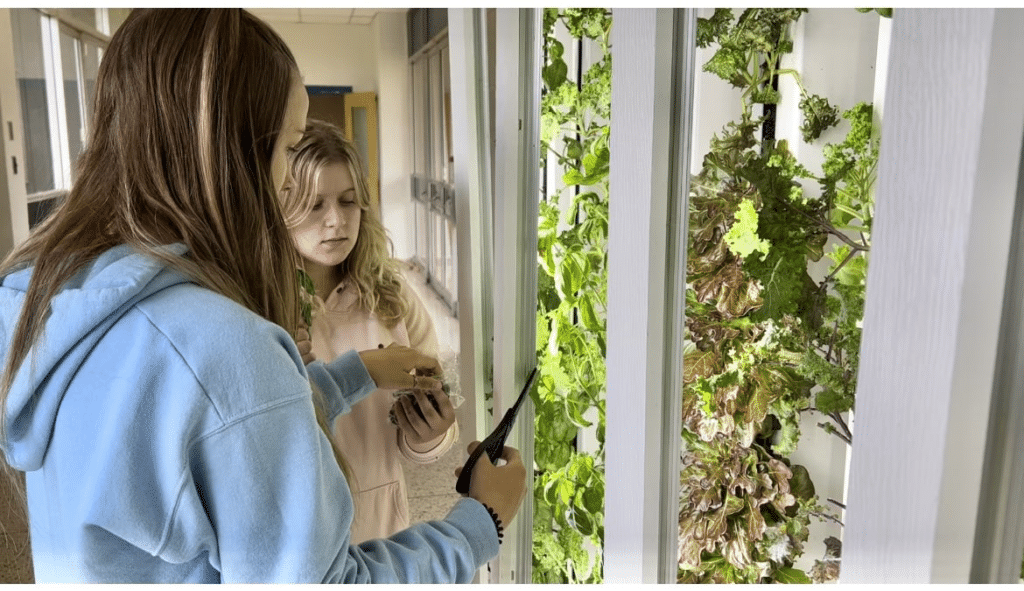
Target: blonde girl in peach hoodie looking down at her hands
<point>363,303</point>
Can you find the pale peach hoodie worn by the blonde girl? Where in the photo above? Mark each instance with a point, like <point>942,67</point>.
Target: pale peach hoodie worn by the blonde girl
<point>366,436</point>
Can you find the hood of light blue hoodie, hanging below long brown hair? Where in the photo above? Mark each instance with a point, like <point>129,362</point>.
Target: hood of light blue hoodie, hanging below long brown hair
<point>80,314</point>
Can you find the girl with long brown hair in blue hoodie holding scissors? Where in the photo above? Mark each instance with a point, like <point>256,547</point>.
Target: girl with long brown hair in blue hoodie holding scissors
<point>152,392</point>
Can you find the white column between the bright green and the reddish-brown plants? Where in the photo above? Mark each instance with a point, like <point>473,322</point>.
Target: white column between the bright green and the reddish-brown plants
<point>652,90</point>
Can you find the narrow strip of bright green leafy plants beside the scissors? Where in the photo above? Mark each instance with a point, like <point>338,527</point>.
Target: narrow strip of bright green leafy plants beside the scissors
<point>573,237</point>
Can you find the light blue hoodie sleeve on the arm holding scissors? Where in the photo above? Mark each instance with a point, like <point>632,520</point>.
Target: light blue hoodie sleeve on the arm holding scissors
<point>283,512</point>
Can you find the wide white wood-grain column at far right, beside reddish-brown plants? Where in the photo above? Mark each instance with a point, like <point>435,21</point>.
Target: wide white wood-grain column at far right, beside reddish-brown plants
<point>948,183</point>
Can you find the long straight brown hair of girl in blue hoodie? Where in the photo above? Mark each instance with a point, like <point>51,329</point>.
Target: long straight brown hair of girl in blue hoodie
<point>189,107</point>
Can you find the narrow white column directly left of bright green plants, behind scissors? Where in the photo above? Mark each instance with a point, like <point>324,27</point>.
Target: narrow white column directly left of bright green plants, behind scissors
<point>518,149</point>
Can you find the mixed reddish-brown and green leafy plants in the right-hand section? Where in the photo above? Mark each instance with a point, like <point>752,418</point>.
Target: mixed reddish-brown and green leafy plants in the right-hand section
<point>765,342</point>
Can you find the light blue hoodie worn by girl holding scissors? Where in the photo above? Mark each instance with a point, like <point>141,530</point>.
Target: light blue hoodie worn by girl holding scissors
<point>168,436</point>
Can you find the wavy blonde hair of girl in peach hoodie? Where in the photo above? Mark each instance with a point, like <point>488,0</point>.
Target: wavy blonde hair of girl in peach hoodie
<point>369,268</point>
